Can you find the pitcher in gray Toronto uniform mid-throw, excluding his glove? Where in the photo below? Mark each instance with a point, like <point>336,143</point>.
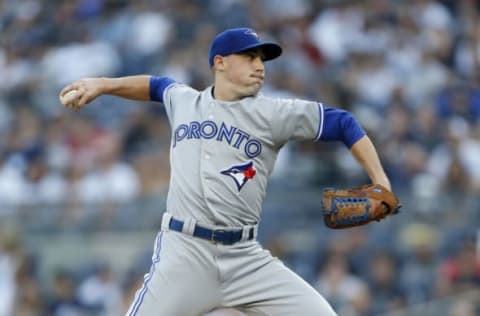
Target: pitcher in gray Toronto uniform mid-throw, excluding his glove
<point>224,143</point>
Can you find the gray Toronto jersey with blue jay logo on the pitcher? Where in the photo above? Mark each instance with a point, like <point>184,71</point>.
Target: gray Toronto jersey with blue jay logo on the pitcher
<point>222,153</point>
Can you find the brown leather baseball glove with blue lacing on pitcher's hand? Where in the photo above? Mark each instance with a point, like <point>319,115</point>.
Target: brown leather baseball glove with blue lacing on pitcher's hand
<point>357,206</point>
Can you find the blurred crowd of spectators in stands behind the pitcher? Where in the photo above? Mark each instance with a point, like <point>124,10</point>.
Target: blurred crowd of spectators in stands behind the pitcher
<point>82,194</point>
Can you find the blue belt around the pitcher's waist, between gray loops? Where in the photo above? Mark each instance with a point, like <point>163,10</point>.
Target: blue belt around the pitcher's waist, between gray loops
<point>225,237</point>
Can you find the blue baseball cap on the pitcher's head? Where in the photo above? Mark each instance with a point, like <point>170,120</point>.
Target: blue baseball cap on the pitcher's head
<point>232,41</point>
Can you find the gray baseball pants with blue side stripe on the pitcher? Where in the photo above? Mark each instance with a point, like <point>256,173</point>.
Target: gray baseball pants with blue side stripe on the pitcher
<point>190,276</point>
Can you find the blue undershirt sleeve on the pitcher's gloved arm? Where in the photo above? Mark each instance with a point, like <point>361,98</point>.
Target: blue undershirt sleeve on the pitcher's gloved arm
<point>340,125</point>
